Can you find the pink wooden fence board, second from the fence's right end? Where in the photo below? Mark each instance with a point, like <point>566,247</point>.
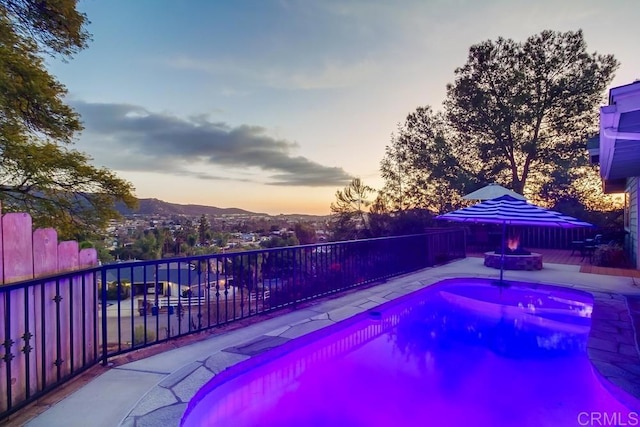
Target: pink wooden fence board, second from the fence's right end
<point>67,260</point>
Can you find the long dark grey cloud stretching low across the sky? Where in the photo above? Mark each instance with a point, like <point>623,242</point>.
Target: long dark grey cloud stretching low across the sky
<point>129,137</point>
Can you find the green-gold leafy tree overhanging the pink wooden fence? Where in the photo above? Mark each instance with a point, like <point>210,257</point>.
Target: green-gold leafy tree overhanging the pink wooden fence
<point>39,172</point>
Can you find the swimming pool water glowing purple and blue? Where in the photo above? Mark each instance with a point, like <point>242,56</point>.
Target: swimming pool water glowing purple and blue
<point>462,352</point>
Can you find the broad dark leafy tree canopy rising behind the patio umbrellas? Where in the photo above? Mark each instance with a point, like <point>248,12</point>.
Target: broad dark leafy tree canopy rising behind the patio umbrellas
<point>518,113</point>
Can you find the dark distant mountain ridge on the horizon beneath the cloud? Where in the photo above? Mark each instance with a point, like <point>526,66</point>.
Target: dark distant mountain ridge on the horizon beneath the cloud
<point>159,207</point>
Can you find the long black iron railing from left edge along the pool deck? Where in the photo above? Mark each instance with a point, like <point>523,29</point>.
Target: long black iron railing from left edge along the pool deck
<point>56,327</point>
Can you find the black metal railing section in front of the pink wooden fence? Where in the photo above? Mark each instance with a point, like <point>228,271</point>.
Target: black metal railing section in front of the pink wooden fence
<point>48,333</point>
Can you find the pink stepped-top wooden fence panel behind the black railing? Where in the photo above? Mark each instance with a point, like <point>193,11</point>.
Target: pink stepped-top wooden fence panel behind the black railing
<point>34,319</point>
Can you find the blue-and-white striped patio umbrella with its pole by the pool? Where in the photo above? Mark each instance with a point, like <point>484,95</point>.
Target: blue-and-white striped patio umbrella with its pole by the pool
<point>507,210</point>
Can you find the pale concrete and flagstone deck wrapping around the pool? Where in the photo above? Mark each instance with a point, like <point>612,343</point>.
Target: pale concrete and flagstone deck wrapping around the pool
<point>155,391</point>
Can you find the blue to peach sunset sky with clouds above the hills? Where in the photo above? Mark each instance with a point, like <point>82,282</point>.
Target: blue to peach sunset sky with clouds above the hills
<point>272,106</point>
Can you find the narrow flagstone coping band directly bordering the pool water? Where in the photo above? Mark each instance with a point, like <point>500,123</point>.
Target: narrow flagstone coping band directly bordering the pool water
<point>612,348</point>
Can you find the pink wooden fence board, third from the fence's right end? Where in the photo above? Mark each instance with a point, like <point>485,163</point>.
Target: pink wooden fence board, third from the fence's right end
<point>45,261</point>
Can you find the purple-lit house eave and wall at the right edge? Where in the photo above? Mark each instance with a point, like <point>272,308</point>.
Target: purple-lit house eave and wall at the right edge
<point>618,153</point>
